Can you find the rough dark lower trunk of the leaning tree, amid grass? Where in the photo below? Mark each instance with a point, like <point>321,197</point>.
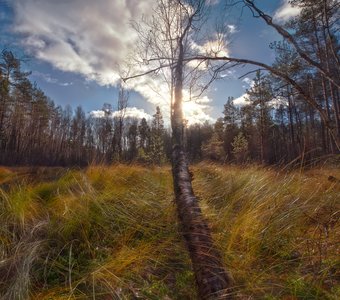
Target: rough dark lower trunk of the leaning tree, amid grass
<point>212,280</point>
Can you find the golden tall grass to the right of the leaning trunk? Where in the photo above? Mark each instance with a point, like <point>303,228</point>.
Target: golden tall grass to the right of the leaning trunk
<point>278,231</point>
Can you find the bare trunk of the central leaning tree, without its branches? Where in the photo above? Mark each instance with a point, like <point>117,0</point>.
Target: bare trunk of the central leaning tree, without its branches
<point>211,278</point>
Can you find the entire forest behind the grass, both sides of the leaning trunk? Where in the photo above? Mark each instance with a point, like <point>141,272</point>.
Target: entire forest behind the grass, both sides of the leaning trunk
<point>275,125</point>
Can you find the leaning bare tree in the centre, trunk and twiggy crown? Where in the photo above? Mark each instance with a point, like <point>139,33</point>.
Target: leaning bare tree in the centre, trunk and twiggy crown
<point>166,41</point>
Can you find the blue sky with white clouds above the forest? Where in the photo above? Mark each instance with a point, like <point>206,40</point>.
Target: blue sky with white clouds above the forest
<point>76,48</point>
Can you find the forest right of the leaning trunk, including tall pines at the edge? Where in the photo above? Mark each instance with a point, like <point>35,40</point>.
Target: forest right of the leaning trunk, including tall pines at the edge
<point>295,112</point>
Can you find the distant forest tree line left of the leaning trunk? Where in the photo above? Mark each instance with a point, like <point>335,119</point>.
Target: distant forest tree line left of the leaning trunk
<point>35,131</point>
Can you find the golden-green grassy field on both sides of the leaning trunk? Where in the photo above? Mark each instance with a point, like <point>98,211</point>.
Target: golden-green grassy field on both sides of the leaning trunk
<point>112,232</point>
